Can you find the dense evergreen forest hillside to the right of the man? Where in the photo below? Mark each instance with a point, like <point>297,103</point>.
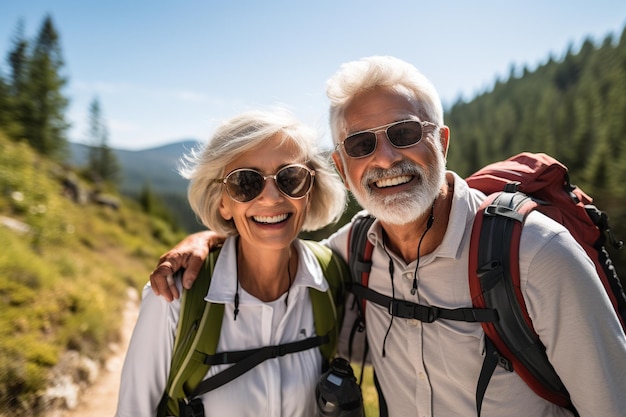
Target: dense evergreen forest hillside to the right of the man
<point>573,108</point>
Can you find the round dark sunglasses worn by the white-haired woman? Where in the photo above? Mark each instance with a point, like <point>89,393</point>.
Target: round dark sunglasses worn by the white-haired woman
<point>245,184</point>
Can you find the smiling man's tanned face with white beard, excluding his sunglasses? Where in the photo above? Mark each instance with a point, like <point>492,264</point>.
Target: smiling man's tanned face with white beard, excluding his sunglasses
<point>397,185</point>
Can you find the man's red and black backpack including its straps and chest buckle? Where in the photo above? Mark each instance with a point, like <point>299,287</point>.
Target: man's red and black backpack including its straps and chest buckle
<point>514,187</point>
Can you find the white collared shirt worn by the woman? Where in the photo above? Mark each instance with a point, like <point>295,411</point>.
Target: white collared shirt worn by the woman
<point>284,386</point>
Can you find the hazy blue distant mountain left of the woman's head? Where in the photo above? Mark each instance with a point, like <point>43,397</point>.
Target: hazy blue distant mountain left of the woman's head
<point>156,168</point>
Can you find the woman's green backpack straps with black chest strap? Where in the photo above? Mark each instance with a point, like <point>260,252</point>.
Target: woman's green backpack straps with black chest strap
<point>200,323</point>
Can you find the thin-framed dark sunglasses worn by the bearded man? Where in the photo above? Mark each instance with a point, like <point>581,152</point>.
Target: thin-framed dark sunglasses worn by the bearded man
<point>401,134</point>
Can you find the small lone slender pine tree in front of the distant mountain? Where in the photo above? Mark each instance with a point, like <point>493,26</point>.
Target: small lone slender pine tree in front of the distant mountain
<point>103,165</point>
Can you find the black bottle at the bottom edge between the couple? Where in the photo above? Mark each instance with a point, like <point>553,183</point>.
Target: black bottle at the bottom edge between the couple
<point>337,392</point>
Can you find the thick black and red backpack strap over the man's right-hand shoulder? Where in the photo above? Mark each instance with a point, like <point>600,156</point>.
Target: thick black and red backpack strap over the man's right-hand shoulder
<point>494,279</point>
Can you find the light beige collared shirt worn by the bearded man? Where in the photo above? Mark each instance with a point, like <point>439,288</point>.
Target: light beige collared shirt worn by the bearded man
<point>432,369</point>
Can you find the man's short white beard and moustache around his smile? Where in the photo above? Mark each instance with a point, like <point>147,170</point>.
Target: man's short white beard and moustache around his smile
<point>403,207</point>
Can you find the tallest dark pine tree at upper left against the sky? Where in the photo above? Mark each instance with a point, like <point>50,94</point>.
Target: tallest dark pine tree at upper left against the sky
<point>45,125</point>
